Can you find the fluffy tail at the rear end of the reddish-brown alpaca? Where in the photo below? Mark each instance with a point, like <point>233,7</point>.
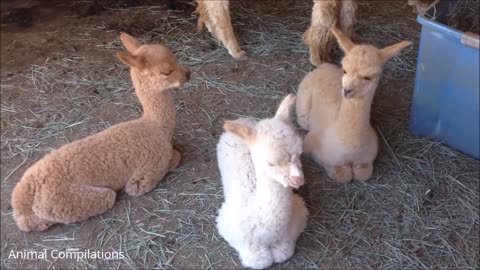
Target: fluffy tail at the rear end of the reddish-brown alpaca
<point>22,201</point>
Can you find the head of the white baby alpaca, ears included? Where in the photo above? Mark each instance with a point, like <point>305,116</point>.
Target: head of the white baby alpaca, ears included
<point>274,144</point>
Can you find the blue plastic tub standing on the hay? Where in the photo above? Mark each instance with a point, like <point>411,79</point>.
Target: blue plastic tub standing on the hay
<point>445,103</point>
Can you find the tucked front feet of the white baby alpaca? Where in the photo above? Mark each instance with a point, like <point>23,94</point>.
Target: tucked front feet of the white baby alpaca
<point>256,257</point>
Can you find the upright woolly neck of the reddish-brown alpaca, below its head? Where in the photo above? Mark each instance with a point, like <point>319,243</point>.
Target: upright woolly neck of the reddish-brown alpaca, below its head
<point>157,103</point>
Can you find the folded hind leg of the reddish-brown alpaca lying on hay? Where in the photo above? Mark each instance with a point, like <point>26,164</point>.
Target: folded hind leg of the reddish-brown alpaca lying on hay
<point>72,203</point>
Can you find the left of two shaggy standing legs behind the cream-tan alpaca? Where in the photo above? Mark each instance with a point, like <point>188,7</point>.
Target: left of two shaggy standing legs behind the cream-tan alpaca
<point>318,37</point>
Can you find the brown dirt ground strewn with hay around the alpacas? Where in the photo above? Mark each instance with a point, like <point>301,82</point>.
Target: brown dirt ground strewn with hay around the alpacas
<point>60,82</point>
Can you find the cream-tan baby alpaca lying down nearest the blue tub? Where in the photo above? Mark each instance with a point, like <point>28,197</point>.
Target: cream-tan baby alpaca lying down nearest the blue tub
<point>334,105</point>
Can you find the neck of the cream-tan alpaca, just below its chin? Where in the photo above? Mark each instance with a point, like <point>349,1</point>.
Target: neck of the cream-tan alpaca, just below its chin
<point>355,113</point>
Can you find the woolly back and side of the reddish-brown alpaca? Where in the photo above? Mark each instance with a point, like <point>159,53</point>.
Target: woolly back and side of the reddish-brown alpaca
<point>97,159</point>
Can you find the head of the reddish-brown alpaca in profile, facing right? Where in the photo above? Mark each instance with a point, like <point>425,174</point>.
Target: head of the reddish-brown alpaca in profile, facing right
<point>154,63</point>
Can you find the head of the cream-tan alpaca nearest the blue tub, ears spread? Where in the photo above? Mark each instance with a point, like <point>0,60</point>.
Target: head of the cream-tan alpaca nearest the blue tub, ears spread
<point>363,65</point>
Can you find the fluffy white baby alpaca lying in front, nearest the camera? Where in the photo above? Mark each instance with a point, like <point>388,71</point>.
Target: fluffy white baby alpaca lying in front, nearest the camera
<point>260,164</point>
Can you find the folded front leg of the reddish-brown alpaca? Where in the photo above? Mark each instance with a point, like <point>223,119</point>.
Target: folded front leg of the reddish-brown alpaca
<point>143,182</point>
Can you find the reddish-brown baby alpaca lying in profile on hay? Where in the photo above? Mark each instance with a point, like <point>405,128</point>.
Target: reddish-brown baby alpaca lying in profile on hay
<point>81,179</point>
